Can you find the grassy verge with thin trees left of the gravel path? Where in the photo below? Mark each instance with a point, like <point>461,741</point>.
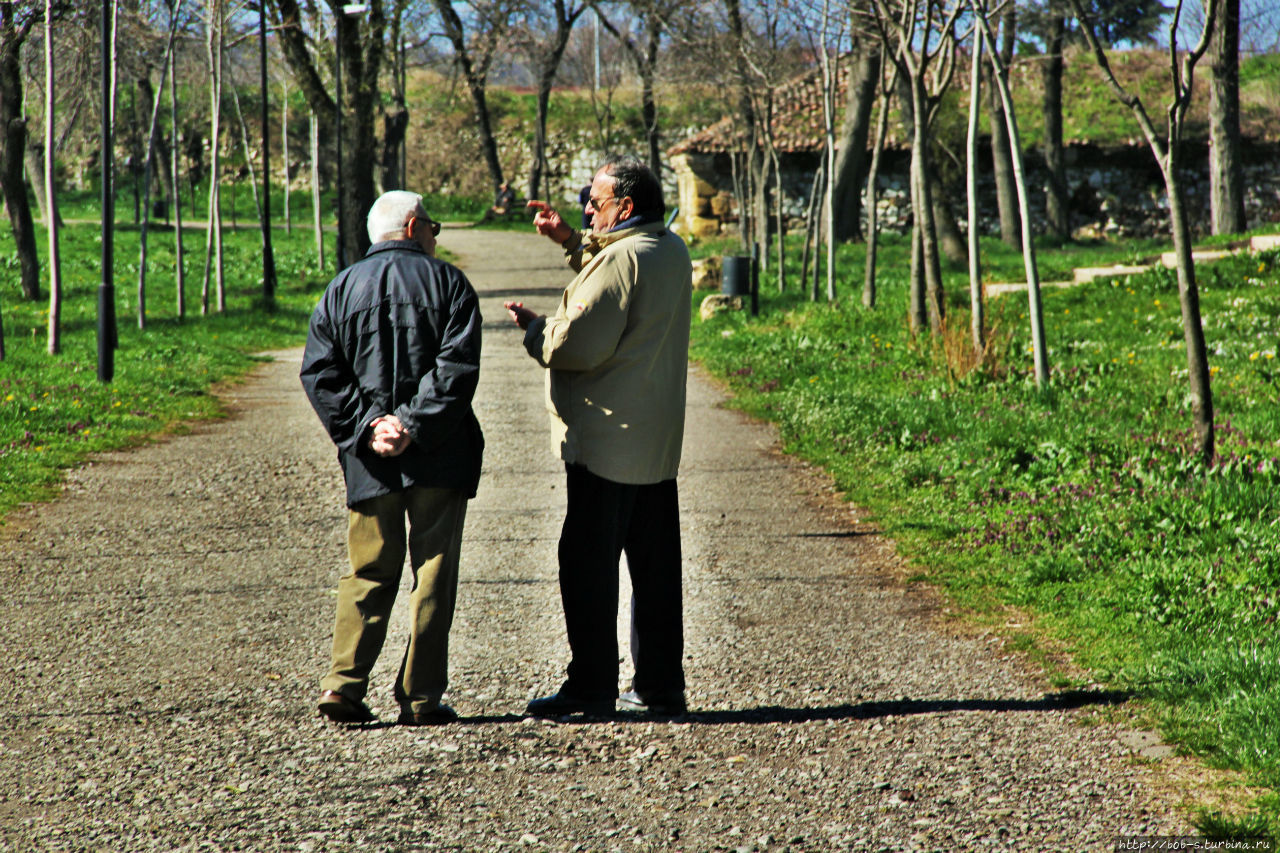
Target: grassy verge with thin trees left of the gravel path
<point>53,409</point>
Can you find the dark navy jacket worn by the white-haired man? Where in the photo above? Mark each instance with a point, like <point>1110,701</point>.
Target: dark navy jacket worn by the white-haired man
<point>399,334</point>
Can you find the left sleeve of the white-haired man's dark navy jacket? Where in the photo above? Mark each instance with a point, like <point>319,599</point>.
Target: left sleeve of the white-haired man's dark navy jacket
<point>332,386</point>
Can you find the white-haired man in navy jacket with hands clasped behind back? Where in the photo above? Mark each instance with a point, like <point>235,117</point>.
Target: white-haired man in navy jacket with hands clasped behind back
<point>391,367</point>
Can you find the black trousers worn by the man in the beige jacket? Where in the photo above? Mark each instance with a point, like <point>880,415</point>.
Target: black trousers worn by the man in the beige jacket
<point>606,519</point>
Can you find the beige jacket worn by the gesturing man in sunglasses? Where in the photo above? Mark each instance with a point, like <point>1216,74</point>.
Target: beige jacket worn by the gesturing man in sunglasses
<point>618,354</point>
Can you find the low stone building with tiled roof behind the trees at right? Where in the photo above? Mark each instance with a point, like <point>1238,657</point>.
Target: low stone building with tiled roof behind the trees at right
<point>1116,190</point>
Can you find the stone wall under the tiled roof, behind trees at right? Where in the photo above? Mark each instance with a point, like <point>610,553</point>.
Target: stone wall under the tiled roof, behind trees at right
<point>1114,193</point>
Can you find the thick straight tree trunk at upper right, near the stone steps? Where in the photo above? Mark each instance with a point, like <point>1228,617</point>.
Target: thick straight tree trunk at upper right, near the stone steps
<point>1227,174</point>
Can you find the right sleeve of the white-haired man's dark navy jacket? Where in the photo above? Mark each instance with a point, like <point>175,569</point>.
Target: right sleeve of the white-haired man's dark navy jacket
<point>444,398</point>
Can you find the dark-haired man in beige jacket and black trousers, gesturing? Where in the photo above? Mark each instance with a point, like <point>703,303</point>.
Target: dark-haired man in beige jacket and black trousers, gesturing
<point>618,358</point>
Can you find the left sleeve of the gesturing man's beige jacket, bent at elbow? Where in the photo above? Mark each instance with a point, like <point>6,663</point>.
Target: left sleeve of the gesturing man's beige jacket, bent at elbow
<point>587,330</point>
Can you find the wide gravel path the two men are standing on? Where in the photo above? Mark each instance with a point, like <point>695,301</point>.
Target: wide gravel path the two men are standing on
<point>167,623</point>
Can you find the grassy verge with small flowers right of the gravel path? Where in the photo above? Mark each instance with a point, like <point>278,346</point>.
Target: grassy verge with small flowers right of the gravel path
<point>1076,509</point>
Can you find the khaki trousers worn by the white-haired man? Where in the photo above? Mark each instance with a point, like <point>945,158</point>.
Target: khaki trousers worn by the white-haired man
<point>376,548</point>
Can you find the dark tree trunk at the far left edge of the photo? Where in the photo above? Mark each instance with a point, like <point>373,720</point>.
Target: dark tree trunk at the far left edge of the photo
<point>13,149</point>
